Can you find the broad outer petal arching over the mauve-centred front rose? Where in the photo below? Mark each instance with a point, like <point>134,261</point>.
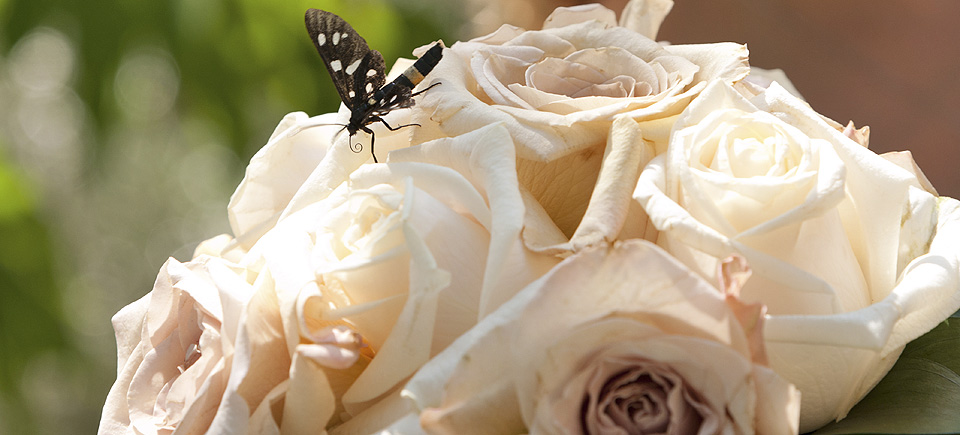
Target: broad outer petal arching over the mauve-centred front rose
<point>471,385</point>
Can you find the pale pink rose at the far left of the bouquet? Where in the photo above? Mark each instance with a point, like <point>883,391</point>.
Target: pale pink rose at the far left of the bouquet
<point>176,346</point>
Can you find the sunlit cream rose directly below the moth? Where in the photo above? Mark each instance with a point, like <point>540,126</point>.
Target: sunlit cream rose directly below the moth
<point>405,255</point>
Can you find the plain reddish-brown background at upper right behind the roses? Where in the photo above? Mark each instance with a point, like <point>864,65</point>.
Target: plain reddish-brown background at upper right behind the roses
<point>891,65</point>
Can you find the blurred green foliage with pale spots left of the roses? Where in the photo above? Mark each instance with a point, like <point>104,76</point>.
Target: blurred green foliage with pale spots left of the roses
<point>97,188</point>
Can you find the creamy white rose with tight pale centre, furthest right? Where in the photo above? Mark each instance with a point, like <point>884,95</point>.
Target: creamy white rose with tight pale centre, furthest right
<point>850,254</point>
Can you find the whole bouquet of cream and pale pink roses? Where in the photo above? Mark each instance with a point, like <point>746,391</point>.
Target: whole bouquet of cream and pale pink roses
<point>588,232</point>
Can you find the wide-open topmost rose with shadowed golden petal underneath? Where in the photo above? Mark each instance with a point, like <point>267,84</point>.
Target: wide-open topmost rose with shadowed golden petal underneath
<point>559,90</point>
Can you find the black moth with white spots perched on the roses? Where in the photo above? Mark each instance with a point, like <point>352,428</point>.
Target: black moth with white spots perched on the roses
<point>358,73</point>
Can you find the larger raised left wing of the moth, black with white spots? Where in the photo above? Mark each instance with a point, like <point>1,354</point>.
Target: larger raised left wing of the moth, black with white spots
<point>344,52</point>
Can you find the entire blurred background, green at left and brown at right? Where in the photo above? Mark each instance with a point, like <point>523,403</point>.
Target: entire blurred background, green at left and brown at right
<point>125,126</point>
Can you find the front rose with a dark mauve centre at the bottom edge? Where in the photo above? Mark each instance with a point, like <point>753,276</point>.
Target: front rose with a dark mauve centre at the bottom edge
<point>651,348</point>
